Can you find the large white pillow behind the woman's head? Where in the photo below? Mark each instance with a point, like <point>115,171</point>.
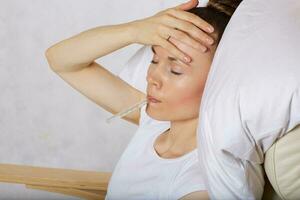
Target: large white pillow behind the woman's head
<point>251,97</point>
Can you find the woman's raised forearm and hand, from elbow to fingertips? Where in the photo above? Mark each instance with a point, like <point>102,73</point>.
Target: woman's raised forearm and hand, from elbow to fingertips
<point>81,50</point>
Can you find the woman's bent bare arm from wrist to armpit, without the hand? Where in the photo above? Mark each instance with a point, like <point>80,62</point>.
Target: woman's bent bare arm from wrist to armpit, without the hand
<point>73,60</point>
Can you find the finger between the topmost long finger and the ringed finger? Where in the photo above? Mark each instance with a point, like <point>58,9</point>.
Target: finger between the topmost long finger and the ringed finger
<point>187,27</point>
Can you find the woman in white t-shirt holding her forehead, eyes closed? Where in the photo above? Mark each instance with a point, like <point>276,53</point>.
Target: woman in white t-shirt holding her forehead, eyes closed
<point>183,53</point>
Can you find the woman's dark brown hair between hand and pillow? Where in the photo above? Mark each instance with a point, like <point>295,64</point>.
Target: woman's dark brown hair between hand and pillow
<point>217,13</point>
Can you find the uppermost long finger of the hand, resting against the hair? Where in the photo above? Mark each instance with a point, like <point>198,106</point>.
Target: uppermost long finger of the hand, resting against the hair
<point>190,17</point>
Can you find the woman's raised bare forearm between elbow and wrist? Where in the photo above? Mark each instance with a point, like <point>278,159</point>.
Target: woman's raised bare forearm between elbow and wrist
<point>79,51</point>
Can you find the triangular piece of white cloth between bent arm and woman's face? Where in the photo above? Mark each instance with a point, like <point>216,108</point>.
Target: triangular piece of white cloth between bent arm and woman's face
<point>135,69</point>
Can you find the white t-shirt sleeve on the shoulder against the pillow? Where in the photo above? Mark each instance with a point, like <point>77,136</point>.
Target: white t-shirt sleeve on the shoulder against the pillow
<point>189,181</point>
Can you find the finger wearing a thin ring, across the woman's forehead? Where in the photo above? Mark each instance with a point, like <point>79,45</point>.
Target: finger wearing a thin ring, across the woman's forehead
<point>185,38</point>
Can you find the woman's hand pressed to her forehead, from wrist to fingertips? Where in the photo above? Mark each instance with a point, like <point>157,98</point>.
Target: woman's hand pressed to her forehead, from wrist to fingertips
<point>174,22</point>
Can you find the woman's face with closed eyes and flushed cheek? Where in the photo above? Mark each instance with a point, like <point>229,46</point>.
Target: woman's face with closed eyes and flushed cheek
<point>179,86</point>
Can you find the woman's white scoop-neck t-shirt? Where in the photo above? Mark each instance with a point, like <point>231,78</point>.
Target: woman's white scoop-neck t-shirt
<point>142,174</point>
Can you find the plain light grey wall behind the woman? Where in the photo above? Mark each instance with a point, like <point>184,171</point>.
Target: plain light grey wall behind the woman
<point>43,121</point>
